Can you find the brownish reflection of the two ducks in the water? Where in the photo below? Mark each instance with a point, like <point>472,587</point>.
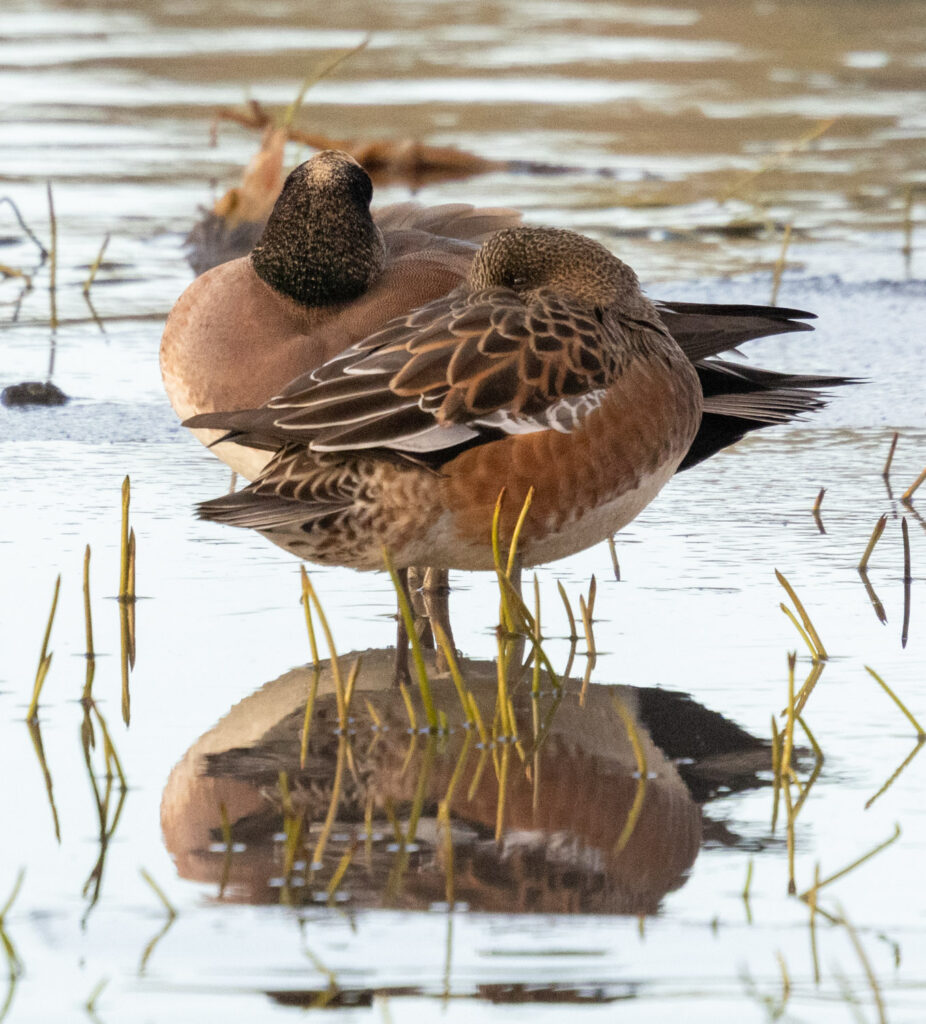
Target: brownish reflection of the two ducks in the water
<point>559,820</point>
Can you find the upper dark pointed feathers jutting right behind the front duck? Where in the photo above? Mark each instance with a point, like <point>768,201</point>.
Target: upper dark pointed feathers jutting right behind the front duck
<point>704,330</point>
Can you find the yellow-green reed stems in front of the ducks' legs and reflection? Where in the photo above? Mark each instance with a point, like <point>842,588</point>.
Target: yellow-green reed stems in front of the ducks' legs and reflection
<point>493,743</point>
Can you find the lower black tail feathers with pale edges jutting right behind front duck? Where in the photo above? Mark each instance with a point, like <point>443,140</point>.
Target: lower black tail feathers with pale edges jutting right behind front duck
<point>739,399</point>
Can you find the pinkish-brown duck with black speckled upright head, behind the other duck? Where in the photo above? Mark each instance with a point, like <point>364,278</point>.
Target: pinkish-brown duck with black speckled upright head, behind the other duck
<point>325,274</point>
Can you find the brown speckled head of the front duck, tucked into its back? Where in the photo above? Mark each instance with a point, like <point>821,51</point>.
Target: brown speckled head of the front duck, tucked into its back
<point>528,259</point>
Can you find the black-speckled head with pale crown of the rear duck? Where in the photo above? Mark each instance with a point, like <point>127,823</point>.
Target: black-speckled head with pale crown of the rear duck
<point>320,246</point>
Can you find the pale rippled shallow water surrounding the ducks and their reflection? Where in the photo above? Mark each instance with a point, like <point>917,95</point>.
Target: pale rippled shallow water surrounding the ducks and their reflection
<point>660,113</point>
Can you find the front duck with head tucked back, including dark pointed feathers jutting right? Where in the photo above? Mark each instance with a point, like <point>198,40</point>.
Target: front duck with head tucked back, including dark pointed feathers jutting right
<point>548,369</point>
